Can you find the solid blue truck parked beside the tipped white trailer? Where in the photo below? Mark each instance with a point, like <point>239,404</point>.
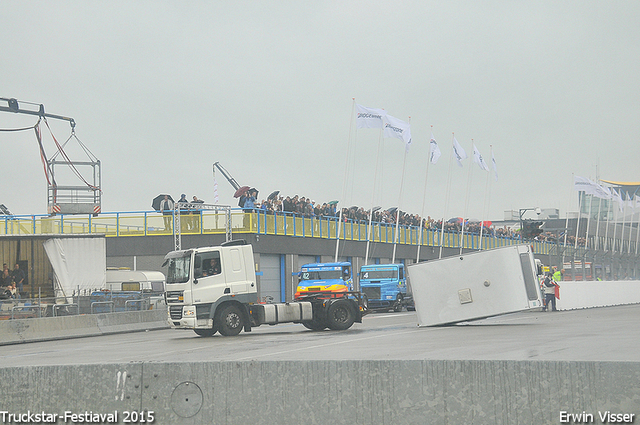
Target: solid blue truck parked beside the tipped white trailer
<point>385,286</point>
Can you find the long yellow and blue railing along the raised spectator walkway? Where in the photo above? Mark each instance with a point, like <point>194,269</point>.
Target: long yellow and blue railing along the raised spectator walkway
<point>149,223</point>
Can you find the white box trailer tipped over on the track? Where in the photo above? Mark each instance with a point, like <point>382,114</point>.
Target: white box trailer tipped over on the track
<point>475,286</point>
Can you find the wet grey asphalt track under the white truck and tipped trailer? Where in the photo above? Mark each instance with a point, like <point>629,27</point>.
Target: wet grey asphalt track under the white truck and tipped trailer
<point>600,334</point>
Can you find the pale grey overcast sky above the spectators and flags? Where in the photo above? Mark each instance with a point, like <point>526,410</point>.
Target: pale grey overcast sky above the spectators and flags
<point>161,90</point>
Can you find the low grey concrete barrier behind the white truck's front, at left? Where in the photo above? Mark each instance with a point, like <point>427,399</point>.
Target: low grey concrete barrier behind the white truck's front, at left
<point>51,328</point>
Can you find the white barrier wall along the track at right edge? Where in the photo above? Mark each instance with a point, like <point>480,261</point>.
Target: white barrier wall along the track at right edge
<point>587,294</point>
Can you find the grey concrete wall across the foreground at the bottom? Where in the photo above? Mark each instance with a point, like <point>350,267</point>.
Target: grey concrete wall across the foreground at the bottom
<point>325,392</point>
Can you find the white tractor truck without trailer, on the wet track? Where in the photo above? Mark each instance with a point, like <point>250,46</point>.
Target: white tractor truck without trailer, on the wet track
<point>214,289</point>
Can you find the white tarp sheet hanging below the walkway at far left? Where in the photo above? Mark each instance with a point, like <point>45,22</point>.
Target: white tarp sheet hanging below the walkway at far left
<point>78,263</point>
